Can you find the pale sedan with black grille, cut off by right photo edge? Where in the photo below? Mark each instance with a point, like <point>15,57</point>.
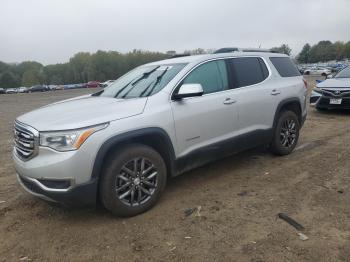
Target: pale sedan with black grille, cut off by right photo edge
<point>333,93</point>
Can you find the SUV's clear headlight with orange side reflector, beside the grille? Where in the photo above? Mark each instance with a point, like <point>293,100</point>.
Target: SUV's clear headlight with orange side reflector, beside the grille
<point>70,139</point>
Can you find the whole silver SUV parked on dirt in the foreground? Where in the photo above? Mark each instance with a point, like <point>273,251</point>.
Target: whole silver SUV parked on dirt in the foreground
<point>161,119</point>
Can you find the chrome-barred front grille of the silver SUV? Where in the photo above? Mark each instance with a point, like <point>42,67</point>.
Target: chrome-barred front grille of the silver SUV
<point>25,139</point>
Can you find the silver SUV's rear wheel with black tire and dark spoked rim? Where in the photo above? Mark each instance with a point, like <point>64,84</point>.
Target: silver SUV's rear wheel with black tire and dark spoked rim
<point>282,131</point>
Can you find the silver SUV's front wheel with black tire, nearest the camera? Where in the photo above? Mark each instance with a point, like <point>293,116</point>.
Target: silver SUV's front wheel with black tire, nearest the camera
<point>111,179</point>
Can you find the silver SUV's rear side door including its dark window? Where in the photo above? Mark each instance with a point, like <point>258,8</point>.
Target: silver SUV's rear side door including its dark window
<point>257,98</point>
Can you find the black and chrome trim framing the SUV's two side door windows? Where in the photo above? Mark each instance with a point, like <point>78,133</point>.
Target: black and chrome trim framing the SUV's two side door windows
<point>178,84</point>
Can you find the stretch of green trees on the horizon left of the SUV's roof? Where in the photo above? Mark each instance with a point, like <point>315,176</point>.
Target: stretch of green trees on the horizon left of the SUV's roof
<point>81,68</point>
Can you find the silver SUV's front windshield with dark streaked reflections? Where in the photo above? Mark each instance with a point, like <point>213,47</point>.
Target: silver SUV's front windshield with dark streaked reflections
<point>142,81</point>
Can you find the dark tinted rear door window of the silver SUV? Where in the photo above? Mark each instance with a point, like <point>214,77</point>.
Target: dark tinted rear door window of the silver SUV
<point>248,71</point>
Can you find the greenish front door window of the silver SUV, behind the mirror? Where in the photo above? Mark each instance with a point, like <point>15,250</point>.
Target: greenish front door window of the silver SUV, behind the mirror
<point>212,76</point>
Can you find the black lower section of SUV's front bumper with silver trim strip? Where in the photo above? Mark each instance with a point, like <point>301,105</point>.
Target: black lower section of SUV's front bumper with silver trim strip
<point>81,195</point>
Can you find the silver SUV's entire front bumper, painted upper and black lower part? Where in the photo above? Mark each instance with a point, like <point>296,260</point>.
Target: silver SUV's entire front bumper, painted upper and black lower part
<point>63,177</point>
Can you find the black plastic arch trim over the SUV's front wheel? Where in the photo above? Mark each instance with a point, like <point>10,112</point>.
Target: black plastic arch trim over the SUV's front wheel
<point>154,137</point>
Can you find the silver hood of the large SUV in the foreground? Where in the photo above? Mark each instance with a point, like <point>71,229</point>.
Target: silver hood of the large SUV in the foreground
<point>81,112</point>
